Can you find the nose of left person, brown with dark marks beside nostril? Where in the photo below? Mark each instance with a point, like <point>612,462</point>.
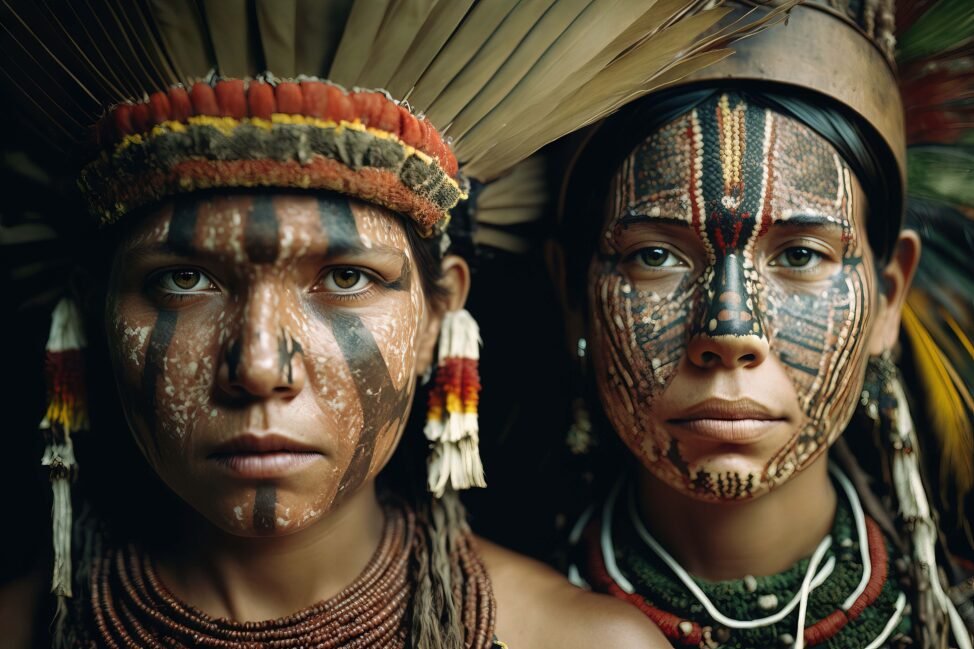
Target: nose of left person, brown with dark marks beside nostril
<point>264,360</point>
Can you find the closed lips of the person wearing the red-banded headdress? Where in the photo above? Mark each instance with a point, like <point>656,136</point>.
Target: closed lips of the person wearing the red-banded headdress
<point>264,455</point>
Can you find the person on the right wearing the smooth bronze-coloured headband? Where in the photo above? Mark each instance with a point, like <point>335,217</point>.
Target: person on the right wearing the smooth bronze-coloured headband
<point>733,259</point>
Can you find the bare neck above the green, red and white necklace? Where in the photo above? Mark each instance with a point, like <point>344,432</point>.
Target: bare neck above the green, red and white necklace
<point>718,541</point>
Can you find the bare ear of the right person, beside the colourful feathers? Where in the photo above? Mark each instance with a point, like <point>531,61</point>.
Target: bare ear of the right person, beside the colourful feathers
<point>895,282</point>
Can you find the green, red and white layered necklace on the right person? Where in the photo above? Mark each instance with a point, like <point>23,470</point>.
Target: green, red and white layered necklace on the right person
<point>624,560</point>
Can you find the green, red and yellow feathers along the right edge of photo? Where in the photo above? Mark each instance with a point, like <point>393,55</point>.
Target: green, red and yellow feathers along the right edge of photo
<point>936,57</point>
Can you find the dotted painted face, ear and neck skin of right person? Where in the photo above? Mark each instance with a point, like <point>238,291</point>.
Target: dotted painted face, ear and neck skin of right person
<point>737,276</point>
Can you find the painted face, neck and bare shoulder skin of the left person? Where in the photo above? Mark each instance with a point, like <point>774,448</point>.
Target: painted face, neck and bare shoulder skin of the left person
<point>234,315</point>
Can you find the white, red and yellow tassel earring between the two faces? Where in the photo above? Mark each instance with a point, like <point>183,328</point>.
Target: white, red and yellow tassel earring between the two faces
<point>451,422</point>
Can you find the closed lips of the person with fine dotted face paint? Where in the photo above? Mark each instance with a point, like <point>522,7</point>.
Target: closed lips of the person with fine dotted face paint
<point>737,421</point>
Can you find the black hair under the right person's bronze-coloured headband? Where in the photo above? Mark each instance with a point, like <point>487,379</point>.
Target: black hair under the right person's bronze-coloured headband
<point>609,143</point>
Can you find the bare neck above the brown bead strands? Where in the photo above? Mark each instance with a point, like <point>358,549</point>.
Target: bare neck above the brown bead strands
<point>262,578</point>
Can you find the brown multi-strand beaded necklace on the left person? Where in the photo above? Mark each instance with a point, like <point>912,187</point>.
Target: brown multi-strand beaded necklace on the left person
<point>131,607</point>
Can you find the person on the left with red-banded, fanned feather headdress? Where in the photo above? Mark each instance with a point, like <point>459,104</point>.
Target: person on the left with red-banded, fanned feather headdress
<point>272,278</point>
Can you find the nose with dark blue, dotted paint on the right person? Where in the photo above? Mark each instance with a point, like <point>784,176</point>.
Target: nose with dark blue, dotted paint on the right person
<point>730,333</point>
